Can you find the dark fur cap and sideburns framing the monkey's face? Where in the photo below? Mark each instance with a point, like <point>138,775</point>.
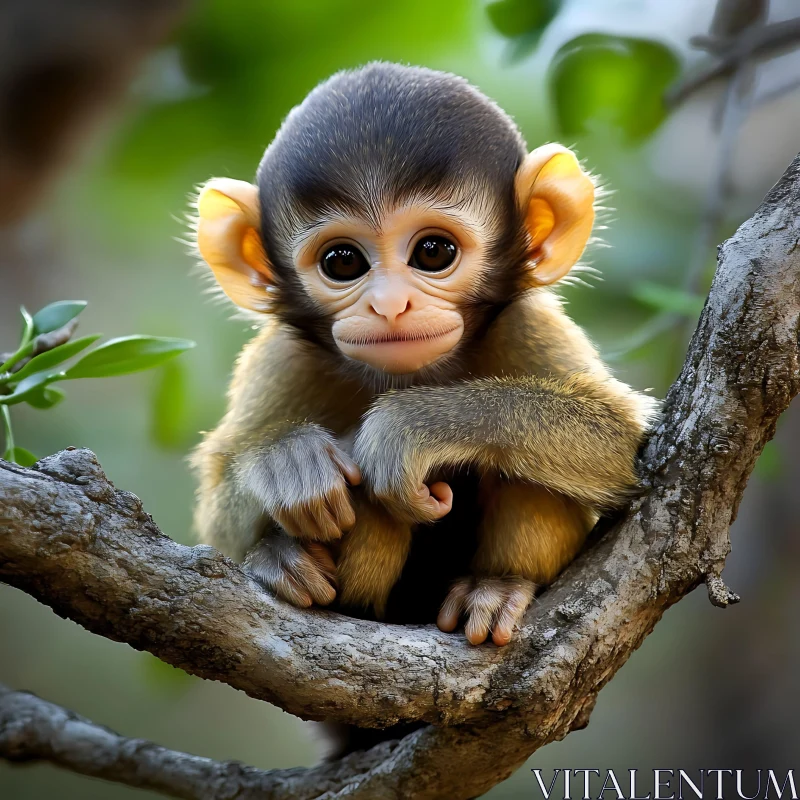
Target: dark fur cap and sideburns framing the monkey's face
<point>368,139</point>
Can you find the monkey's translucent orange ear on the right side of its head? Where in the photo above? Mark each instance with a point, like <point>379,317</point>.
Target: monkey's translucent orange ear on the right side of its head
<point>557,201</point>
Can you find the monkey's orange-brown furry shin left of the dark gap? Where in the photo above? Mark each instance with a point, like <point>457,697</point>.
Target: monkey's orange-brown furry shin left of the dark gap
<point>372,556</point>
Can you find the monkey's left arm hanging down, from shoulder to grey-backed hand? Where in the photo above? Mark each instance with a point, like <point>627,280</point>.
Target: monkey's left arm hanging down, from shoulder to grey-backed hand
<point>274,456</point>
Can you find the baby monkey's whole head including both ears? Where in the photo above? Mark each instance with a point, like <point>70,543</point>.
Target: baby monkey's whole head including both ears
<point>395,213</point>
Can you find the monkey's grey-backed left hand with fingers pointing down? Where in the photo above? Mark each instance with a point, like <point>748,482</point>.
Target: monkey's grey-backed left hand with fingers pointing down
<point>301,481</point>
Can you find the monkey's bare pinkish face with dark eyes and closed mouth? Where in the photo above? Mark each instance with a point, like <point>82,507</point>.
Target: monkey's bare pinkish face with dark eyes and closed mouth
<point>394,291</point>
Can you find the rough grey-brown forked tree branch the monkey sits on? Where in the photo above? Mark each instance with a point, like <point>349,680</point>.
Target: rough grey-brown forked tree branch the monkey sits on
<point>90,552</point>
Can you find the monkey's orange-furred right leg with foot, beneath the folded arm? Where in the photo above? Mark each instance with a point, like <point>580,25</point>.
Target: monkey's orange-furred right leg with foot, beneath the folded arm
<point>527,536</point>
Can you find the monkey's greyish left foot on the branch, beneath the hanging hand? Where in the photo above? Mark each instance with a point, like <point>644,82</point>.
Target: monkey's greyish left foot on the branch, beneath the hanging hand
<point>300,573</point>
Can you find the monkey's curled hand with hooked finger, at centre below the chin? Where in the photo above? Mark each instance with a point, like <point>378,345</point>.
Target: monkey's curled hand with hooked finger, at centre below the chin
<point>394,475</point>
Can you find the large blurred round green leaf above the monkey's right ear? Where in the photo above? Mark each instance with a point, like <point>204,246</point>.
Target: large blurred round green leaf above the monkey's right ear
<point>612,80</point>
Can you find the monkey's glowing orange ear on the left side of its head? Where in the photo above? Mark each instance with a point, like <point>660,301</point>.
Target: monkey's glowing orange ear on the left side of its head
<point>228,239</point>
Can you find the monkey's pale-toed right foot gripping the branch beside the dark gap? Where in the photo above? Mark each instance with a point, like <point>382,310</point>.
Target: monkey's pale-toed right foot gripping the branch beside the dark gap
<point>488,604</point>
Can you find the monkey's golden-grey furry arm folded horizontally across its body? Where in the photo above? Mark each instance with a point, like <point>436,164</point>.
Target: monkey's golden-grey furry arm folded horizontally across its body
<point>577,435</point>
